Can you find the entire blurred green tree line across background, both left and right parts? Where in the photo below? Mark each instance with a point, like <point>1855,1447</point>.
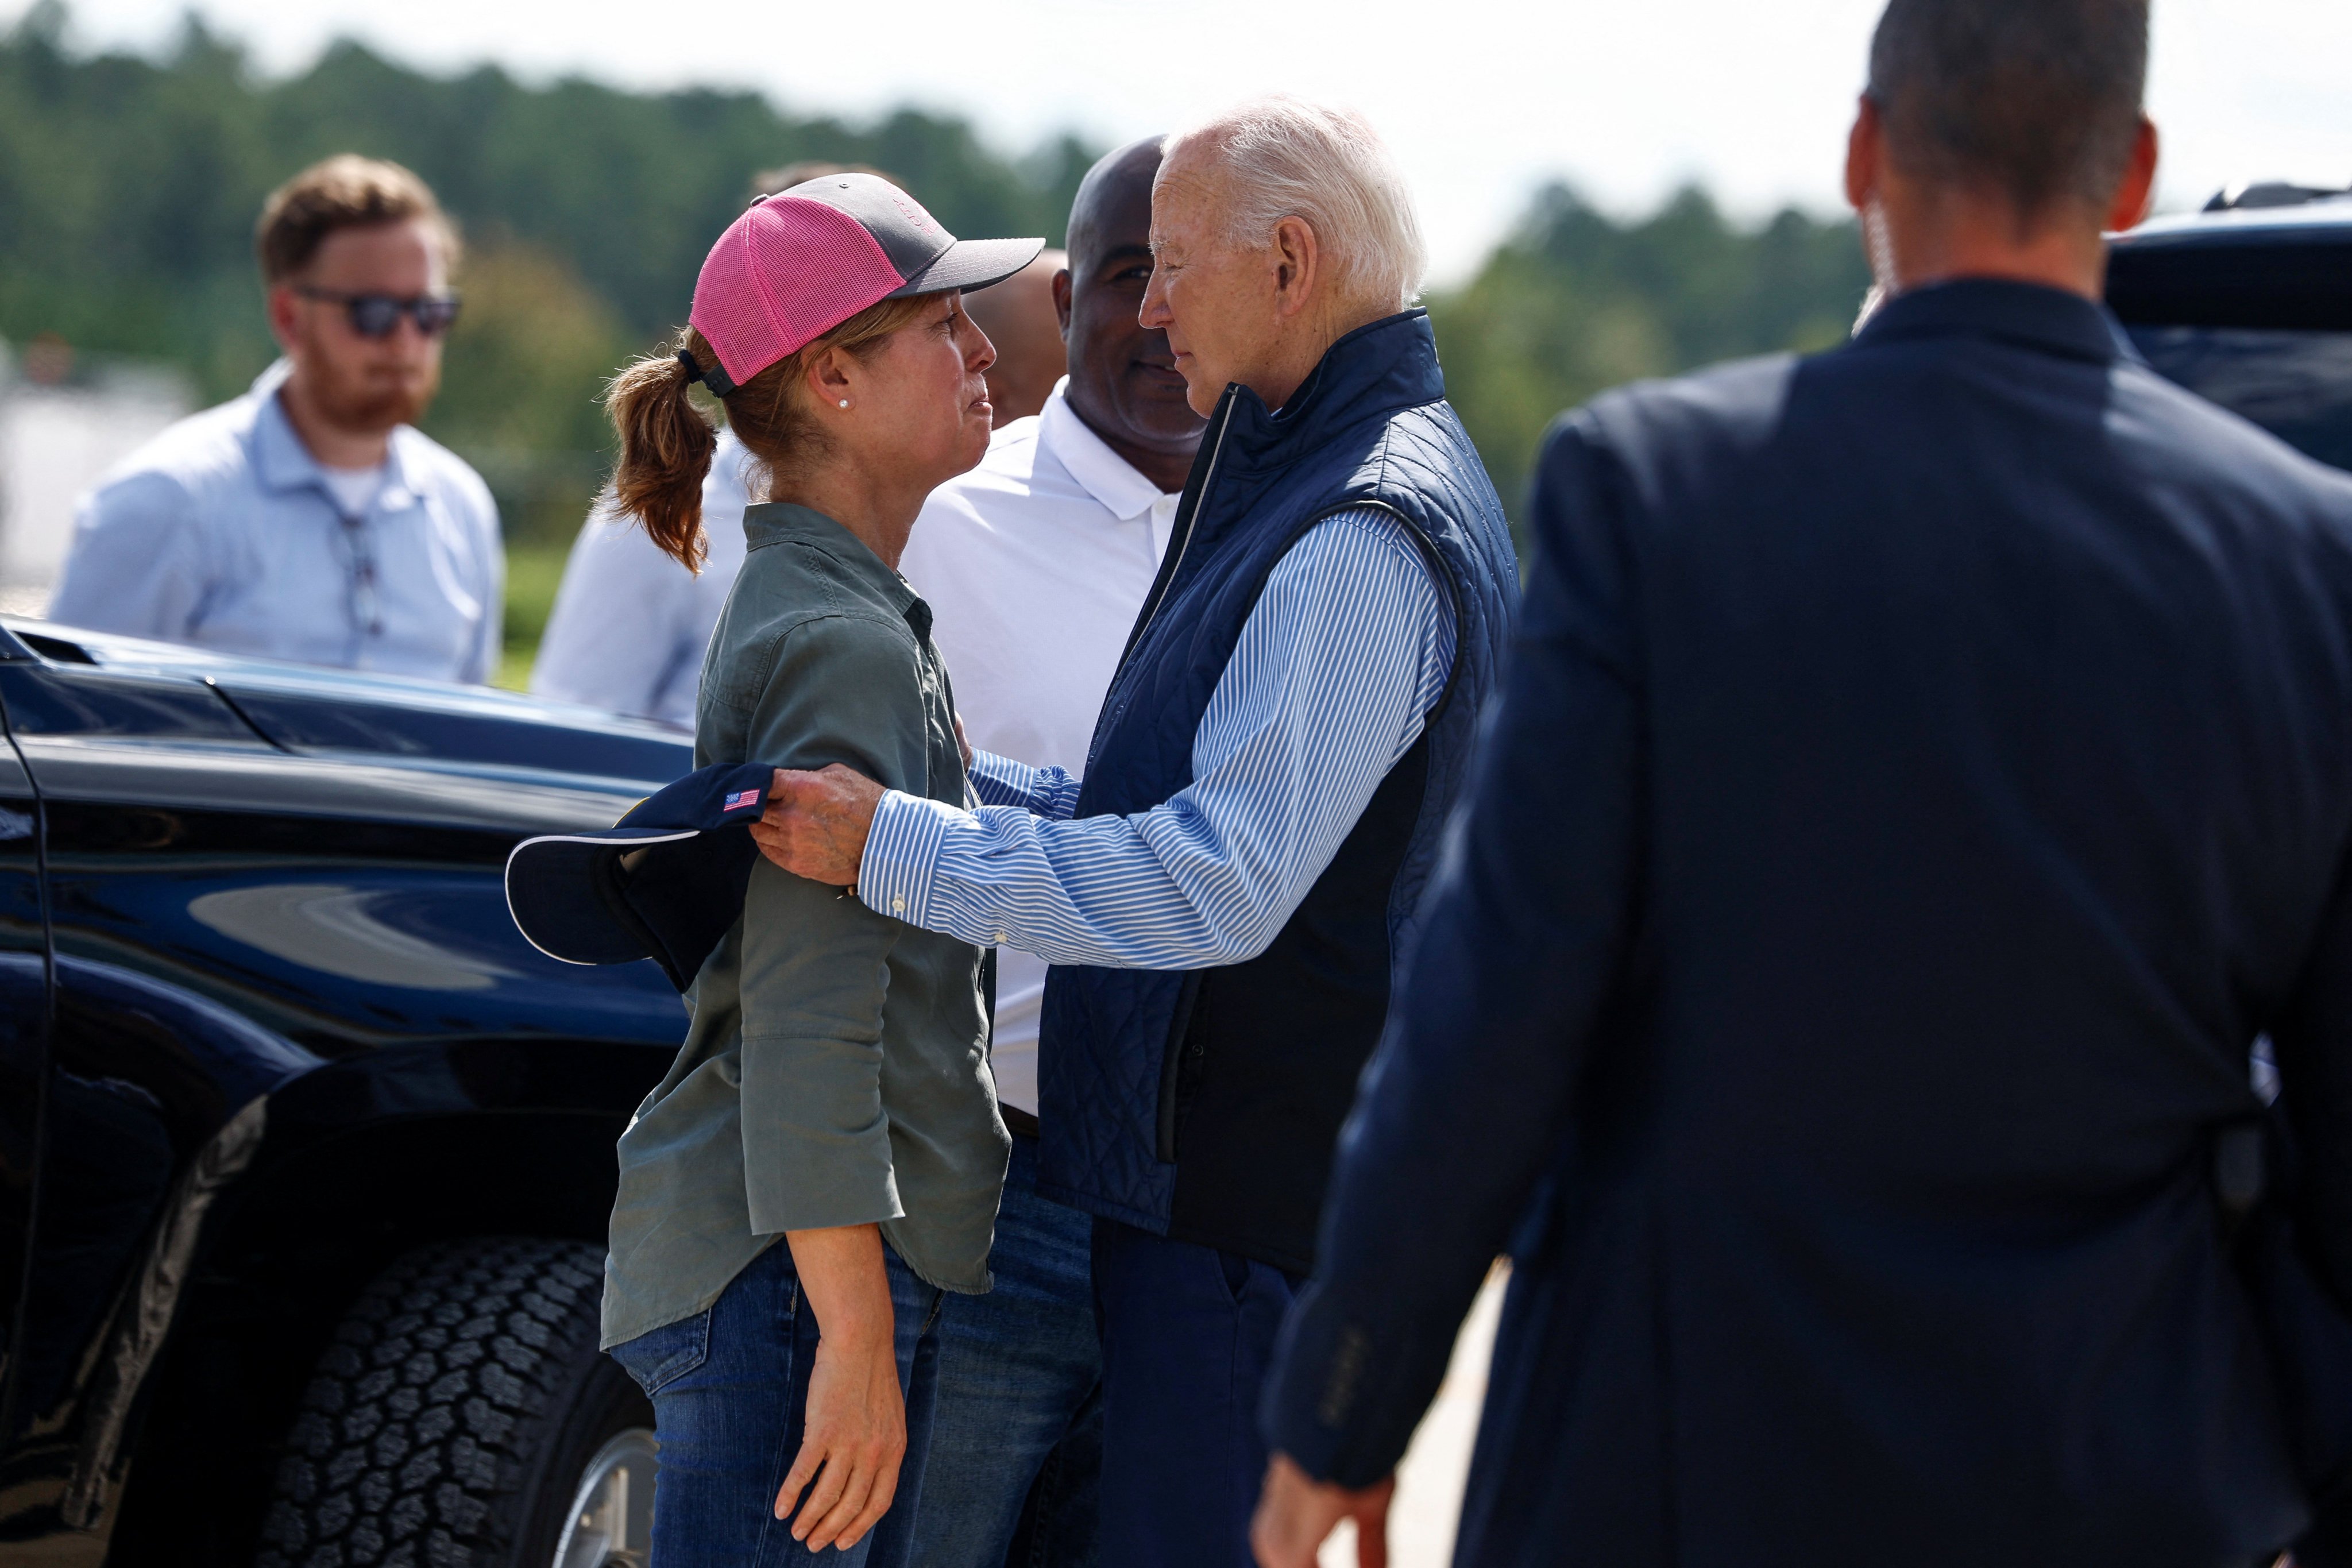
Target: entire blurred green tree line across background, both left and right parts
<point>131,187</point>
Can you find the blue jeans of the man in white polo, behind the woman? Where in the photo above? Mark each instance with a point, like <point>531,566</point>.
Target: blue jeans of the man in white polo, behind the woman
<point>1020,1416</point>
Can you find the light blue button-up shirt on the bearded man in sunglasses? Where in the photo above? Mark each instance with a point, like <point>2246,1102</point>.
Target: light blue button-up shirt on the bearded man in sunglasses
<point>225,532</point>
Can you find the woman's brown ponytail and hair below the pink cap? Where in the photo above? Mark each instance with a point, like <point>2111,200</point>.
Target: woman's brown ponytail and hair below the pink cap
<point>667,441</point>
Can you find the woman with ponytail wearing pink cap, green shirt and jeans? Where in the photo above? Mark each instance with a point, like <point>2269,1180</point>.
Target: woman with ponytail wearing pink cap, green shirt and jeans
<point>834,1087</point>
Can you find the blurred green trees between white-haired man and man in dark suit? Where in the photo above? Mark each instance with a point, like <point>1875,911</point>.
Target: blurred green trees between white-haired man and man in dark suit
<point>1575,302</point>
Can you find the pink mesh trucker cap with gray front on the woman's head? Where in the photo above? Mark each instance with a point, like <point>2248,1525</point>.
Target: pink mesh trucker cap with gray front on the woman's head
<point>803,262</point>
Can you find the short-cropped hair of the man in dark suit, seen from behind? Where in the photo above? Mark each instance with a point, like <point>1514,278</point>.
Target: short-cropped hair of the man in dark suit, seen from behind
<point>2038,100</point>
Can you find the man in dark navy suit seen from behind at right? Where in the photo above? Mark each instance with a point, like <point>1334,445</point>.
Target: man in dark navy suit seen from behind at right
<point>1923,777</point>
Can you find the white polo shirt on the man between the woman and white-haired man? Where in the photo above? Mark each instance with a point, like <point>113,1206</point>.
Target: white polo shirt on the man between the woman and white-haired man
<point>1036,565</point>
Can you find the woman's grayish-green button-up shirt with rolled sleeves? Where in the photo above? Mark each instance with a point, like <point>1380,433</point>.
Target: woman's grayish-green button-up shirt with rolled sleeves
<point>836,1071</point>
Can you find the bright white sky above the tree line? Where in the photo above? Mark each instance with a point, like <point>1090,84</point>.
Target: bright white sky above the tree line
<point>1483,100</point>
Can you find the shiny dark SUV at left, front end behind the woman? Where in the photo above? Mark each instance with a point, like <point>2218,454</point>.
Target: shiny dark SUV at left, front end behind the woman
<point>305,1153</point>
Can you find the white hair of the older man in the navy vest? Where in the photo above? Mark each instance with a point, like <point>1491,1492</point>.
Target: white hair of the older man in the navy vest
<point>1328,166</point>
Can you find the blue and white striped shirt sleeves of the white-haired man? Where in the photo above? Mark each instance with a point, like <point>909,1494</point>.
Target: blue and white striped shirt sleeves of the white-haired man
<point>1330,683</point>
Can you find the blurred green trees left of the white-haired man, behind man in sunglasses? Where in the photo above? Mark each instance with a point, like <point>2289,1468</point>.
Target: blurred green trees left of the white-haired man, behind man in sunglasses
<point>131,189</point>
